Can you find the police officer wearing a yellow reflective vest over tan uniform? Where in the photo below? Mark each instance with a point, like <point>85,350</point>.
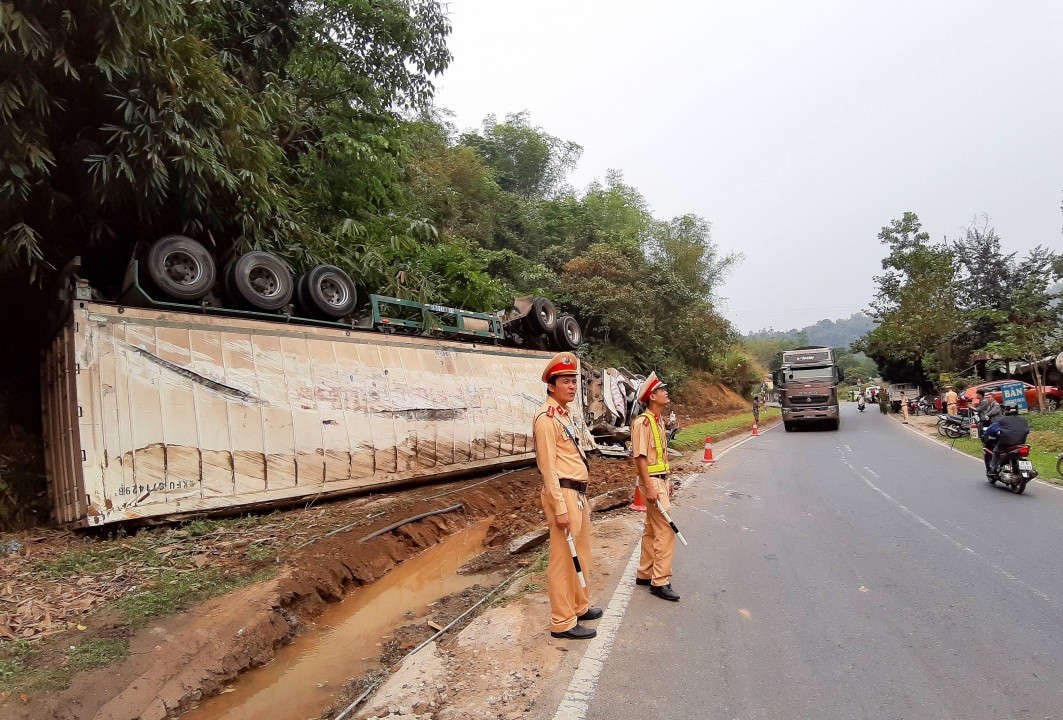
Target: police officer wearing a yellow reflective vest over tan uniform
<point>650,453</point>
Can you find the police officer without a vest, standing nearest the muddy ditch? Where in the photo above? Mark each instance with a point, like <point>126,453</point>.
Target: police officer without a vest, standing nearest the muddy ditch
<point>565,475</point>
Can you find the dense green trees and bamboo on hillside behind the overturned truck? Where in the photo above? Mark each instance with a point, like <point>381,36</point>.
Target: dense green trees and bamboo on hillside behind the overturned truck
<point>309,130</point>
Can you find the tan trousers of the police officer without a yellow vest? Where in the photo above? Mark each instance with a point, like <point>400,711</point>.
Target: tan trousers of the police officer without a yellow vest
<point>567,599</point>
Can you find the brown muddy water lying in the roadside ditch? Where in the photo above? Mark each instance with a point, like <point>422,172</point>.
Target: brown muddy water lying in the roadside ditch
<point>346,642</point>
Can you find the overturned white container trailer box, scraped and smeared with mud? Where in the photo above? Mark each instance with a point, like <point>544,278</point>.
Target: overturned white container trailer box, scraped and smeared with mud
<point>153,414</point>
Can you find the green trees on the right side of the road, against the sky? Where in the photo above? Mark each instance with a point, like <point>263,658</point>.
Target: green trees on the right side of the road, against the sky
<point>938,305</point>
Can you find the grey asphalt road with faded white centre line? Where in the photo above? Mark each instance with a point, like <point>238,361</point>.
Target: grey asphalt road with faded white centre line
<point>862,574</point>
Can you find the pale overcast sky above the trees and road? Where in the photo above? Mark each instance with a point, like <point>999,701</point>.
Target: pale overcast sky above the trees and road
<point>798,129</point>
